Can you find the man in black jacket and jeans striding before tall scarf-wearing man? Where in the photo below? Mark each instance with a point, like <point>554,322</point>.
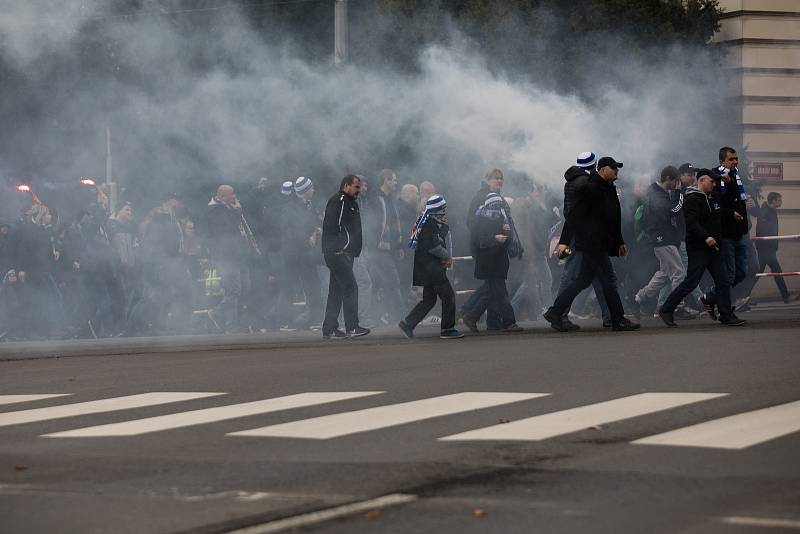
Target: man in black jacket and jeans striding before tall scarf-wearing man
<point>704,228</point>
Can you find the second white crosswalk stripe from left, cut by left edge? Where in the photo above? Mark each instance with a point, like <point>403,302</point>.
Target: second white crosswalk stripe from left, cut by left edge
<point>99,406</point>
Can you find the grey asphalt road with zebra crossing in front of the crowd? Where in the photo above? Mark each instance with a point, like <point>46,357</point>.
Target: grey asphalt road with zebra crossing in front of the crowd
<point>250,442</point>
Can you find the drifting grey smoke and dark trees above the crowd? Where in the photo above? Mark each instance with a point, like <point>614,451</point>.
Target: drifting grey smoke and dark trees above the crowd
<point>202,92</point>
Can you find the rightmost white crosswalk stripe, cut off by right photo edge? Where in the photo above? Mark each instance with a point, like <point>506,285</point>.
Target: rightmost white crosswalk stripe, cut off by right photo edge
<point>734,432</point>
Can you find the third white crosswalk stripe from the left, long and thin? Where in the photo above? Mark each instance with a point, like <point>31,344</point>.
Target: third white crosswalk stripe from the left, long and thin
<point>210,415</point>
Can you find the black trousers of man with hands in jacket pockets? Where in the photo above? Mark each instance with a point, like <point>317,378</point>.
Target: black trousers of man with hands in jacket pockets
<point>342,294</point>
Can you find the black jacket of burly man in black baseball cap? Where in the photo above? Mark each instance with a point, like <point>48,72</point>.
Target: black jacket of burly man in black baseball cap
<point>596,217</point>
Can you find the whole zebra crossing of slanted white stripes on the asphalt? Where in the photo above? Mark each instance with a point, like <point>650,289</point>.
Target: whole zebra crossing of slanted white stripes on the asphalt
<point>732,432</point>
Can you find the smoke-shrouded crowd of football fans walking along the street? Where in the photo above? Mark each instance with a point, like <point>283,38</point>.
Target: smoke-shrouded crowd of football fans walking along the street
<point>280,259</point>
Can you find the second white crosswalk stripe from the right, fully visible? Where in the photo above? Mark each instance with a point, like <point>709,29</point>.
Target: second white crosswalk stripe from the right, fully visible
<point>554,424</point>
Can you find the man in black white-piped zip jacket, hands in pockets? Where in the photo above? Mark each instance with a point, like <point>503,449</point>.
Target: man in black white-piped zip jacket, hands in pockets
<point>341,243</point>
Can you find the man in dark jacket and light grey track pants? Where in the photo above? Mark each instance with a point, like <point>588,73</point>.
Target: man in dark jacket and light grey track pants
<point>661,214</point>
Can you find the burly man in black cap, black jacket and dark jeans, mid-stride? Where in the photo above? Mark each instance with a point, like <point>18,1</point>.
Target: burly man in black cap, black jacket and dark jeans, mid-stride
<point>597,221</point>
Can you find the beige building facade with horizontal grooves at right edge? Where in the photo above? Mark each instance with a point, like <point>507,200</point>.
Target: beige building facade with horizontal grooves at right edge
<point>763,38</point>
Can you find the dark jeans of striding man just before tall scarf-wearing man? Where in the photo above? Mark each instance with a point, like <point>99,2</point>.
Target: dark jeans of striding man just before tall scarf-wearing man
<point>699,262</point>
